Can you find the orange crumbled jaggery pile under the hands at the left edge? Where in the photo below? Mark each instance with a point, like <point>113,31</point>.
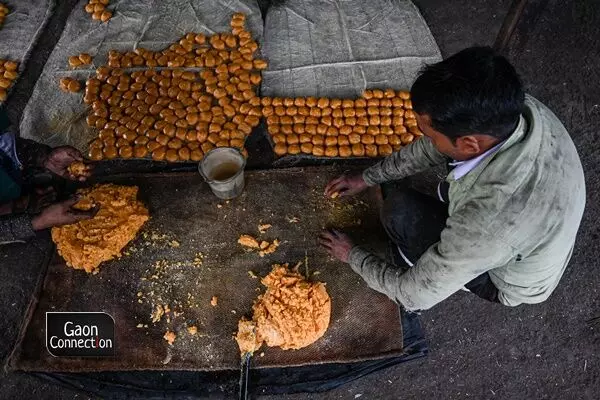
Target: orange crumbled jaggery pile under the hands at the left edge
<point>86,244</point>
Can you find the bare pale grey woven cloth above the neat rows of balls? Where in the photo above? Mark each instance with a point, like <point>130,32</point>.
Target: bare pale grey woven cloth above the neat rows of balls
<point>339,48</point>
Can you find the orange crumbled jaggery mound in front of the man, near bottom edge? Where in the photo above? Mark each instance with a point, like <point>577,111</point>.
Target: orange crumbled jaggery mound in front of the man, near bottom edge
<point>292,313</point>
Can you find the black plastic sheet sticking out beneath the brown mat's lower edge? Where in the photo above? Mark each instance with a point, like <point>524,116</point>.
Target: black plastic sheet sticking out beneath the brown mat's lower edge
<point>312,378</point>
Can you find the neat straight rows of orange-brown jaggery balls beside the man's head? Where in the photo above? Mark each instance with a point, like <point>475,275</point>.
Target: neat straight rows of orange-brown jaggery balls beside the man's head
<point>377,124</point>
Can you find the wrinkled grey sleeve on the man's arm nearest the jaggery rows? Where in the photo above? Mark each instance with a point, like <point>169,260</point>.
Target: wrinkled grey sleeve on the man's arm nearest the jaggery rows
<point>416,157</point>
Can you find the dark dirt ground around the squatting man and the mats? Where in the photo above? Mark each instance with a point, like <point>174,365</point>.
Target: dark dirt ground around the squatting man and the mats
<point>477,350</point>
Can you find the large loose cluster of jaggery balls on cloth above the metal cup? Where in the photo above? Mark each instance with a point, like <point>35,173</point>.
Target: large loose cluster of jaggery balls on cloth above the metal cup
<point>172,114</point>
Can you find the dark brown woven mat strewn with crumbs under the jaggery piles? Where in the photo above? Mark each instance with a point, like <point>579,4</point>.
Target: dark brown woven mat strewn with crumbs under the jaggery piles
<point>364,324</point>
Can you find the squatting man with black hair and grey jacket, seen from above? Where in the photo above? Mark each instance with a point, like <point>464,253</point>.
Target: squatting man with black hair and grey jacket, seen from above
<point>504,222</point>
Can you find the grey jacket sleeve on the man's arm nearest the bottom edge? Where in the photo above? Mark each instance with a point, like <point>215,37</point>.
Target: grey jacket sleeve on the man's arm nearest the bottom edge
<point>465,251</point>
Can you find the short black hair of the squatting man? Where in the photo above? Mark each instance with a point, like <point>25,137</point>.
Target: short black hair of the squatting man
<point>474,91</point>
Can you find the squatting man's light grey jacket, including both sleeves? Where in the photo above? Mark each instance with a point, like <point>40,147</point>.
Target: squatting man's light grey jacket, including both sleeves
<point>515,215</point>
